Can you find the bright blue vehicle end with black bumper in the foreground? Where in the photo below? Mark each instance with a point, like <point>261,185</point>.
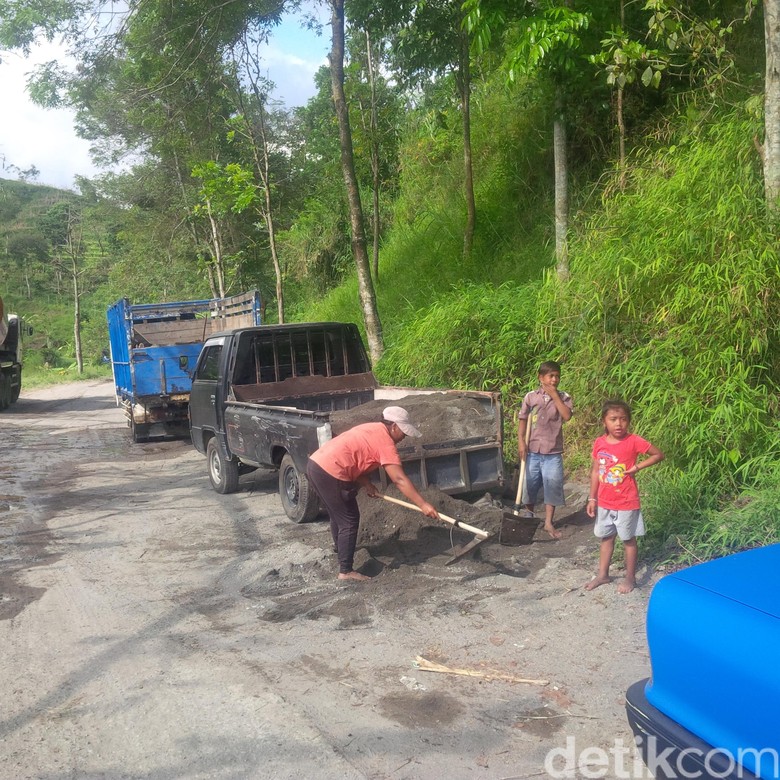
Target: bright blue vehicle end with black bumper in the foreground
<point>709,710</point>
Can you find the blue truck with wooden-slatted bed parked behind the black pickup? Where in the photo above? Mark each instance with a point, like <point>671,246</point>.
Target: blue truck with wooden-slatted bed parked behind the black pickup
<point>154,348</point>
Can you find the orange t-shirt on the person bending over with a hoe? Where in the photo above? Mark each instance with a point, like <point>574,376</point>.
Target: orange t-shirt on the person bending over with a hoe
<point>357,451</point>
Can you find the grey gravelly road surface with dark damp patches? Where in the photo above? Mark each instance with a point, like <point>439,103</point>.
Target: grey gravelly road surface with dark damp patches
<point>151,628</point>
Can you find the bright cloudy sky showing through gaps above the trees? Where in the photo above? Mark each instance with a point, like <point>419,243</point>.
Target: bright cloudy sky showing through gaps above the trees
<point>45,138</point>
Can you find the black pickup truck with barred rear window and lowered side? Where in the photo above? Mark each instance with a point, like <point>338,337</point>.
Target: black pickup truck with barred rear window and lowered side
<point>267,396</point>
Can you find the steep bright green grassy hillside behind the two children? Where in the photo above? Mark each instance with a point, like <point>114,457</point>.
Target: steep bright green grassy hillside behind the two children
<point>672,305</point>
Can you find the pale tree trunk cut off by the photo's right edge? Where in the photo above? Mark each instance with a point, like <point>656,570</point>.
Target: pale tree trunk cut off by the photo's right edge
<point>772,106</point>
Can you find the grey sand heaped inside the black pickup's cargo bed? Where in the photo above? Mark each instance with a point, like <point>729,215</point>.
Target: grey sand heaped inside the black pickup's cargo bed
<point>440,417</point>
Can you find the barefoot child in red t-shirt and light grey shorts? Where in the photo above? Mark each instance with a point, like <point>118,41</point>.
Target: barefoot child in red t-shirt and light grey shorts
<point>614,496</point>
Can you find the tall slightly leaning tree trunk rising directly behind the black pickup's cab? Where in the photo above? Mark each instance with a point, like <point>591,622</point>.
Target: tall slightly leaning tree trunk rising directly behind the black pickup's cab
<point>365,285</point>
